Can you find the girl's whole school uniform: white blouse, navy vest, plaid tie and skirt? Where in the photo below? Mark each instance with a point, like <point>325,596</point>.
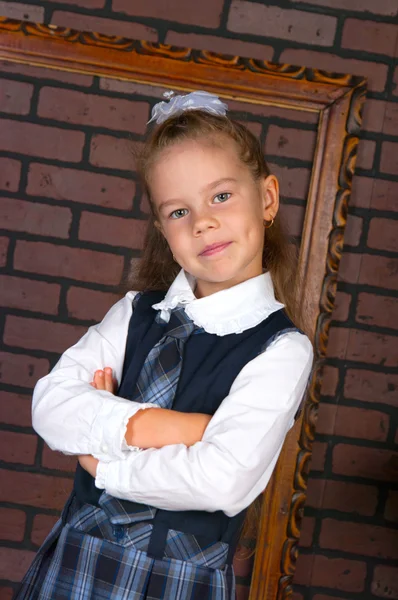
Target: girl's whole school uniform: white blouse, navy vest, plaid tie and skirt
<point>164,523</point>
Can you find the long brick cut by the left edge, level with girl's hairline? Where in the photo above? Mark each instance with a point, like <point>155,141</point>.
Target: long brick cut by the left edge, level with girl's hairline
<point>62,144</point>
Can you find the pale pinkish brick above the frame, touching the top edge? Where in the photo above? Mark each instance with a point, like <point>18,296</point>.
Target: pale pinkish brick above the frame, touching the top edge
<point>275,22</point>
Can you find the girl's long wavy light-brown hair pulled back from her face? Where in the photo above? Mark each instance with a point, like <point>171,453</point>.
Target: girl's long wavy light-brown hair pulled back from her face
<point>157,269</point>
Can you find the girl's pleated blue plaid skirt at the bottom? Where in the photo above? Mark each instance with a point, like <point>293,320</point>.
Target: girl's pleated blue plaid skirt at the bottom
<point>99,553</point>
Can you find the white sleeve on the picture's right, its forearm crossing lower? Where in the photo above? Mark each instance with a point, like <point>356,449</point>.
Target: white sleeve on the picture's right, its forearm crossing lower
<point>233,462</point>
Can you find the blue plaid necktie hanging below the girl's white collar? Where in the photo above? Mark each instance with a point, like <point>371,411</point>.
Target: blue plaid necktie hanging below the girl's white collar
<point>158,379</point>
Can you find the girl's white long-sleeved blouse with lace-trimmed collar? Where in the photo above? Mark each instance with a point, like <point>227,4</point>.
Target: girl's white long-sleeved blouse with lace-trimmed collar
<point>233,462</point>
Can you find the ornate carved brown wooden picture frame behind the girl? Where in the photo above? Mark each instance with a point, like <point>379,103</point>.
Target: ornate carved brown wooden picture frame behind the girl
<point>338,100</point>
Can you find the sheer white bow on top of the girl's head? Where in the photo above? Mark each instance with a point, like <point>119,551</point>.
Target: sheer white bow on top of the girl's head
<point>195,100</point>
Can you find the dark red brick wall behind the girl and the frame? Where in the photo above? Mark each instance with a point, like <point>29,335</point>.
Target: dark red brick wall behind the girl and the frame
<point>72,219</point>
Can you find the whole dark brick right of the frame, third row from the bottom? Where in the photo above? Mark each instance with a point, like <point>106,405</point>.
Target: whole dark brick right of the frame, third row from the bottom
<point>342,496</point>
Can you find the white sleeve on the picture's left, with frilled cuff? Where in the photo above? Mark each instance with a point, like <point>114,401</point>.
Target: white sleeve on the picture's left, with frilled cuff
<point>71,415</point>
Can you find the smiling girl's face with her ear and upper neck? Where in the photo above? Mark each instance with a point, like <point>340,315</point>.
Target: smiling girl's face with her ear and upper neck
<point>211,212</point>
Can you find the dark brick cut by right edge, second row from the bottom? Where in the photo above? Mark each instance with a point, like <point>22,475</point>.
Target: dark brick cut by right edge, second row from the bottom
<point>359,538</point>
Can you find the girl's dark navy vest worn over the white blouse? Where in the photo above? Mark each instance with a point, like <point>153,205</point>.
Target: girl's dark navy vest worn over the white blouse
<point>210,366</point>
